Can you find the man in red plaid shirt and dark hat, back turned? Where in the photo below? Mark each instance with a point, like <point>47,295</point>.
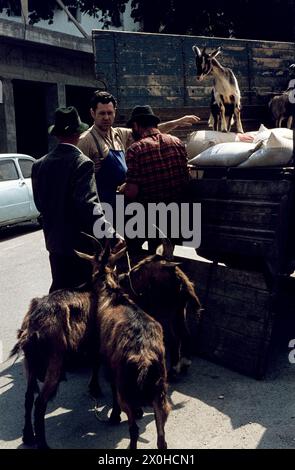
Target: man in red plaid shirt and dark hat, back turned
<point>157,163</point>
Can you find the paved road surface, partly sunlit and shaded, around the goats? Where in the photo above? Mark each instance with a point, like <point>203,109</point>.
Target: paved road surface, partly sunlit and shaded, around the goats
<point>213,407</point>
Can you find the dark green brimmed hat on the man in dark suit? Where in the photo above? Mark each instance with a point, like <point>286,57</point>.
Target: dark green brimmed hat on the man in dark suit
<point>67,122</point>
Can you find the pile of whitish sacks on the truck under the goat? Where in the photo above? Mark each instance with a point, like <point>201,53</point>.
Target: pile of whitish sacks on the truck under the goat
<point>270,147</point>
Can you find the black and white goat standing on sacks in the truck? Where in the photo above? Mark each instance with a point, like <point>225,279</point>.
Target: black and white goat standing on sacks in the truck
<point>226,96</point>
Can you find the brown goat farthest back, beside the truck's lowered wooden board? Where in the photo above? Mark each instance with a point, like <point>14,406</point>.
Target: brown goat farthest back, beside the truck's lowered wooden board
<point>163,290</point>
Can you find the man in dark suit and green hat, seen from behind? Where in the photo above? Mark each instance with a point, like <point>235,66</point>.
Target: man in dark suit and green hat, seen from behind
<point>65,194</point>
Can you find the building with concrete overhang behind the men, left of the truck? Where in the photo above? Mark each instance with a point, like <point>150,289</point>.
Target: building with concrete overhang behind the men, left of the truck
<point>38,74</point>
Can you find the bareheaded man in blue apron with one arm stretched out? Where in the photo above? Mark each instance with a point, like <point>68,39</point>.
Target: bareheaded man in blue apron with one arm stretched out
<point>106,145</point>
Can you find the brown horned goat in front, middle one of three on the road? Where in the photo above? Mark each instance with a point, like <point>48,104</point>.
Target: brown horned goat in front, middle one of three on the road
<point>131,344</point>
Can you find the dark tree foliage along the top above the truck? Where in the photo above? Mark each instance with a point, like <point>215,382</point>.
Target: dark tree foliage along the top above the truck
<point>252,19</point>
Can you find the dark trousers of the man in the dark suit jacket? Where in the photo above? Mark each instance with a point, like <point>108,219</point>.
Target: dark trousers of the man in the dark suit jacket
<point>68,272</point>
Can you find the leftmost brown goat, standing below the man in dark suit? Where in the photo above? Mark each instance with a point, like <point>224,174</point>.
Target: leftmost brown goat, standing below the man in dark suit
<point>55,326</point>
